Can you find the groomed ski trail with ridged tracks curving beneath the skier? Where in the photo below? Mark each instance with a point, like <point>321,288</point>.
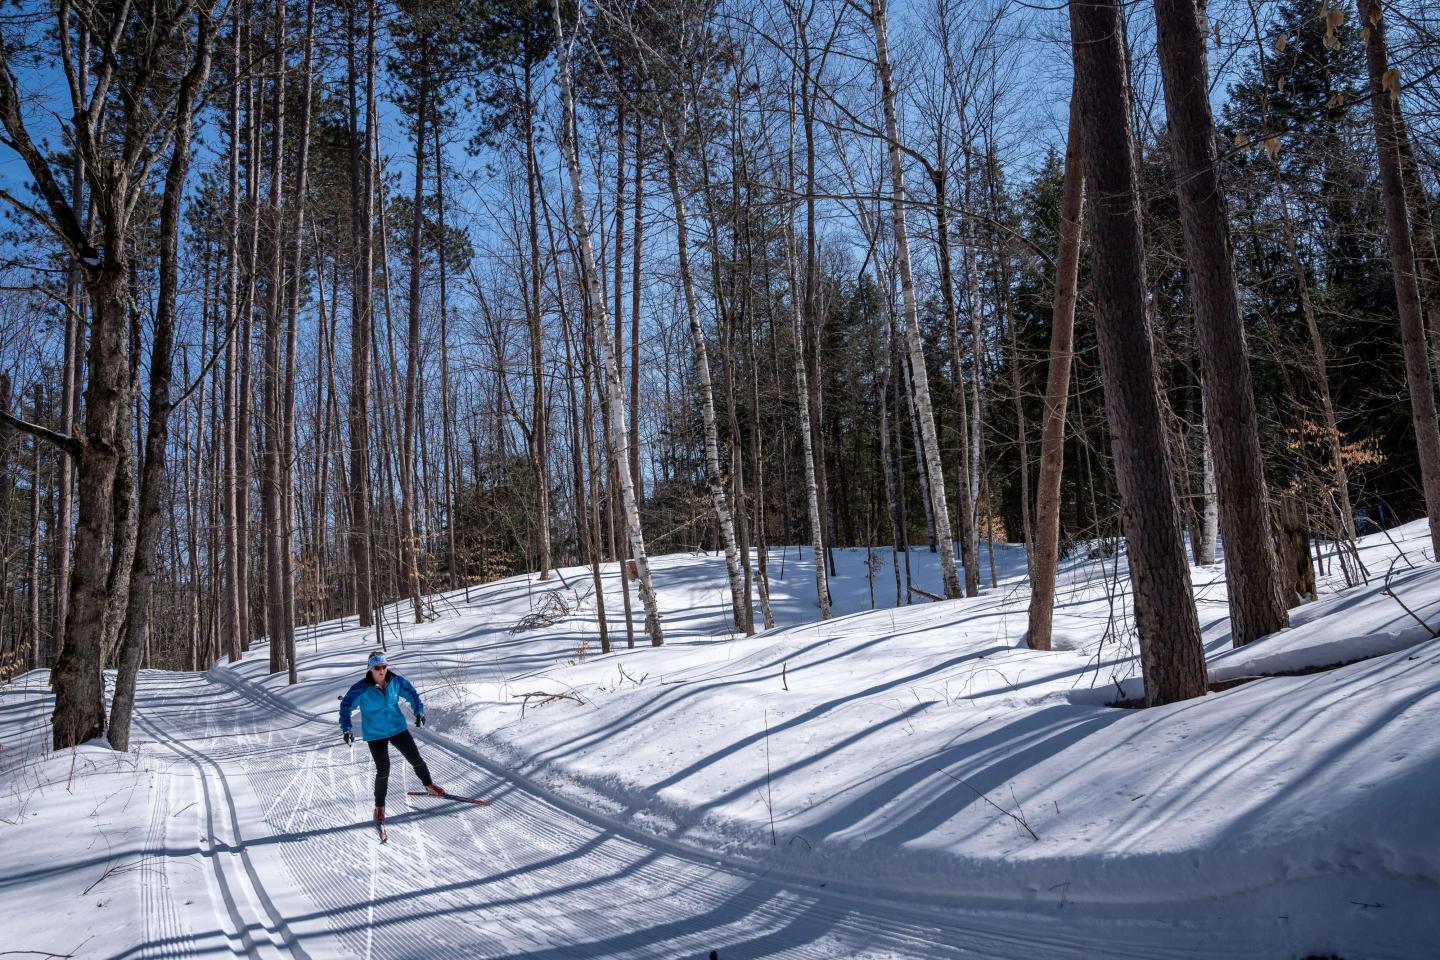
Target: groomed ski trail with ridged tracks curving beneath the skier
<point>300,874</point>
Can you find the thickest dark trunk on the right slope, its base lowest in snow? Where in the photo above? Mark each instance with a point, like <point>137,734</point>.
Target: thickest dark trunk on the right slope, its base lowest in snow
<point>1171,653</point>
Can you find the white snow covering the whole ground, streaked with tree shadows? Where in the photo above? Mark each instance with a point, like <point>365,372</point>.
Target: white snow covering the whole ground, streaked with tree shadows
<point>896,782</point>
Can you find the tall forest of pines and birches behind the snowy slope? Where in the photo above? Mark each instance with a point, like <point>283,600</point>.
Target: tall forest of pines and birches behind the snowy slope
<point>310,309</point>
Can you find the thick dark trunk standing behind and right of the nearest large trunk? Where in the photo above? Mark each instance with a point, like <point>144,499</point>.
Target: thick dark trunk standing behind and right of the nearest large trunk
<point>1258,605</point>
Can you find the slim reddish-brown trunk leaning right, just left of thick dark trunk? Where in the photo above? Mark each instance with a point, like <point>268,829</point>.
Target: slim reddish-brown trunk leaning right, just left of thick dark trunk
<point>1058,392</point>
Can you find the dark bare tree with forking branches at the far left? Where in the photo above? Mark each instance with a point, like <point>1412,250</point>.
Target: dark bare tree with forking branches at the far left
<point>119,152</point>
